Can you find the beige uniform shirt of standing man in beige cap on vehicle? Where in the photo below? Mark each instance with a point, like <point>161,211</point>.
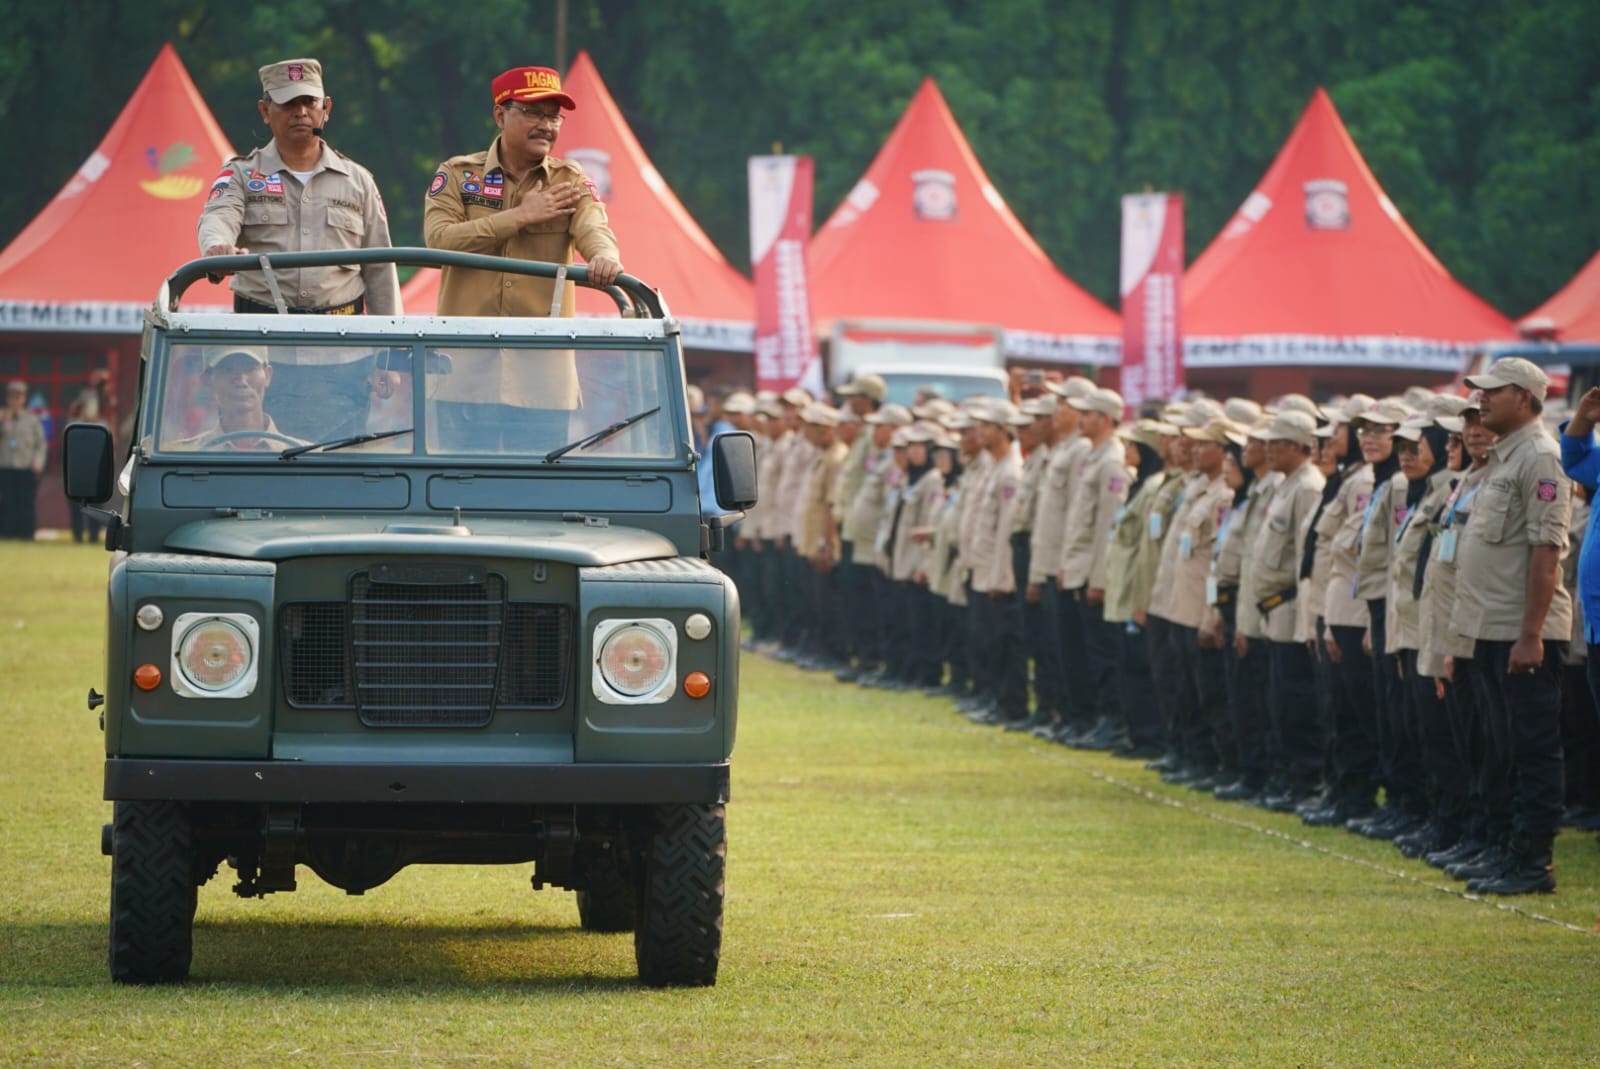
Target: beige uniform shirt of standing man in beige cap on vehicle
<point>257,204</point>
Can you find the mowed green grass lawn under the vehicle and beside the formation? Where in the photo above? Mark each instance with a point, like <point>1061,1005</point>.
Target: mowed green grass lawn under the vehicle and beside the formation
<point>903,891</point>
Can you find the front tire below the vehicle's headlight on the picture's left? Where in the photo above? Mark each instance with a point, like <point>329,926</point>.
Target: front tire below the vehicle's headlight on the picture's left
<point>153,894</point>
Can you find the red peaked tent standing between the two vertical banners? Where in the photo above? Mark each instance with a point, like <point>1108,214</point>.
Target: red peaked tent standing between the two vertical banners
<point>914,234</point>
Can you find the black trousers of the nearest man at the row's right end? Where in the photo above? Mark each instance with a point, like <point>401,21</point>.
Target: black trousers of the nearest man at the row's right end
<point>1524,716</point>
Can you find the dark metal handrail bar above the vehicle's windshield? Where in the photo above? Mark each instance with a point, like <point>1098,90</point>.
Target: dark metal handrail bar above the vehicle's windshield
<point>633,297</point>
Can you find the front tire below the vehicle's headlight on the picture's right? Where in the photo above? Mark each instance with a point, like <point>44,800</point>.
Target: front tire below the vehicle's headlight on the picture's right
<point>681,895</point>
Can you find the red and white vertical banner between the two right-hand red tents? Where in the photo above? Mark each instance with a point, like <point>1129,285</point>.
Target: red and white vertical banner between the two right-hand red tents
<point>1153,270</point>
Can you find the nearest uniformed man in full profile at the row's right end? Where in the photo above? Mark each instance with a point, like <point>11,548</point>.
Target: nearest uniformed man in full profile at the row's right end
<point>1511,601</point>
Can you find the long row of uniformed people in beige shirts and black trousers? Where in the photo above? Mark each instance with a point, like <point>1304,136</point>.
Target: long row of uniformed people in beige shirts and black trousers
<point>1351,612</point>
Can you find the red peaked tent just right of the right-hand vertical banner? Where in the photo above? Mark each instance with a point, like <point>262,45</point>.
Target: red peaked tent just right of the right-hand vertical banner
<point>1319,268</point>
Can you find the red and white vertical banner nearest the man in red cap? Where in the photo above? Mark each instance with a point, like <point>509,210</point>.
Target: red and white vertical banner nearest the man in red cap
<point>780,230</point>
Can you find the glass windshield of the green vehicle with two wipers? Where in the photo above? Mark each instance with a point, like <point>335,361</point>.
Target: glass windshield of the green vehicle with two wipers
<point>348,401</point>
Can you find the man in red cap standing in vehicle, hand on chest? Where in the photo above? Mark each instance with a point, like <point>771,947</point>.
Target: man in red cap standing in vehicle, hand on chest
<point>516,201</point>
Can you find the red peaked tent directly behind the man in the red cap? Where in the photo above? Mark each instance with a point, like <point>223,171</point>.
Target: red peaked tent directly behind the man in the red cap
<point>662,242</point>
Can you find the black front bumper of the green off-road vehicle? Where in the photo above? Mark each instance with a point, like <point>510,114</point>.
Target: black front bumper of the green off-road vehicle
<point>279,782</point>
